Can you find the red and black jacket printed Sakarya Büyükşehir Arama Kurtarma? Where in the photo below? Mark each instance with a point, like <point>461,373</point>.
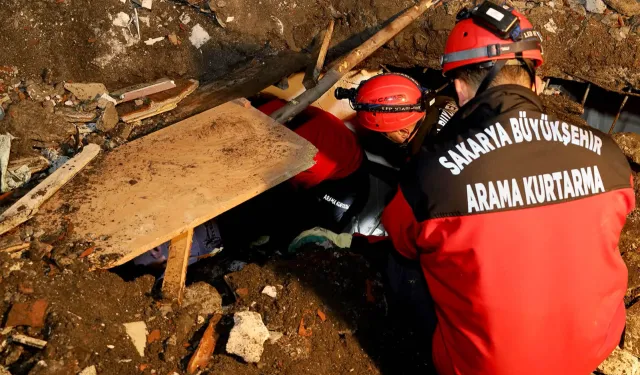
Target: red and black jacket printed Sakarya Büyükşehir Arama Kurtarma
<point>515,218</point>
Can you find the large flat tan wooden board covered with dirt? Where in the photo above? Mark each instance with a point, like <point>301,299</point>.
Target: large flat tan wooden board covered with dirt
<point>149,191</point>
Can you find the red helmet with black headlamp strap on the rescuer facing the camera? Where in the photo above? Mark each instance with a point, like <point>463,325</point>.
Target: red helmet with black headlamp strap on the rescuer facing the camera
<point>389,102</point>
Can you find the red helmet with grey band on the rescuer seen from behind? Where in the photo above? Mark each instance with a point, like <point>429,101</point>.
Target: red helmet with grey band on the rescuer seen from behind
<point>472,41</point>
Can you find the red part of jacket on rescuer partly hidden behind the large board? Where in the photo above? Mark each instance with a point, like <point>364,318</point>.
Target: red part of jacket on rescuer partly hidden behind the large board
<point>339,153</point>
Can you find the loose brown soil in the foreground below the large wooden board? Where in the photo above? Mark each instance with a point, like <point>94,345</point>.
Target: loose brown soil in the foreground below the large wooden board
<point>358,334</point>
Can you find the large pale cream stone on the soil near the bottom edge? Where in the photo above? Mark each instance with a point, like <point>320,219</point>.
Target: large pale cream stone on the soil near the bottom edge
<point>247,336</point>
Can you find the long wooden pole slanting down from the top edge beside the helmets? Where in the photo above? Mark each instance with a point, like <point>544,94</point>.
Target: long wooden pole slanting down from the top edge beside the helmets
<point>354,57</point>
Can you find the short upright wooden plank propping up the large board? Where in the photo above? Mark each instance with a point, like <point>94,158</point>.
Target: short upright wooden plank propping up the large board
<point>176,271</point>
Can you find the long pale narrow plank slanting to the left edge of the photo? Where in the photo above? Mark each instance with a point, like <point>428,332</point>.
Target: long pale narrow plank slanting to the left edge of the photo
<point>28,205</point>
